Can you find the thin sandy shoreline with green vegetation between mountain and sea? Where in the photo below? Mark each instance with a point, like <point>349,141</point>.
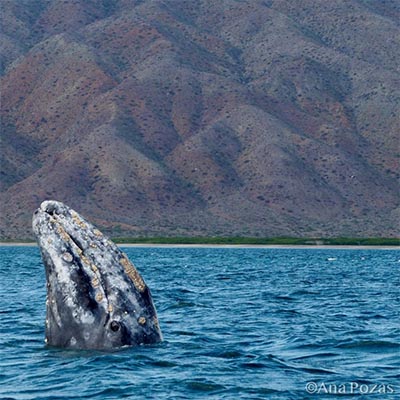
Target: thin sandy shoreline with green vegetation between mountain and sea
<point>233,246</point>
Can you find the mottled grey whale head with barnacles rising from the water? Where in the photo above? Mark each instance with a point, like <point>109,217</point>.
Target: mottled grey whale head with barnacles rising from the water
<point>96,299</point>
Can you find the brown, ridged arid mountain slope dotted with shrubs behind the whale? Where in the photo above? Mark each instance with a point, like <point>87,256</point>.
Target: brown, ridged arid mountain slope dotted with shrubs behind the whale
<point>197,117</point>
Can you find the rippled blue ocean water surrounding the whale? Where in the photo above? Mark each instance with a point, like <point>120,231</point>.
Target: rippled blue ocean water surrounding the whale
<point>237,324</point>
